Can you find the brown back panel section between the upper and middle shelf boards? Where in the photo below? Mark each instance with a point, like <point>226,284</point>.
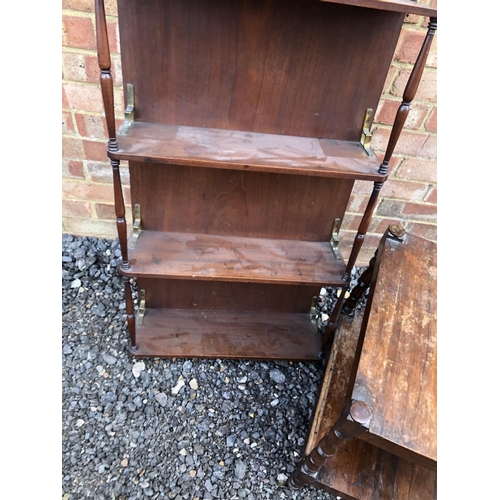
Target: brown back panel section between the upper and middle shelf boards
<point>232,203</point>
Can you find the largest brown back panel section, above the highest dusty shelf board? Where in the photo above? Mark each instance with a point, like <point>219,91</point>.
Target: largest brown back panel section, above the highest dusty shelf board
<point>302,68</point>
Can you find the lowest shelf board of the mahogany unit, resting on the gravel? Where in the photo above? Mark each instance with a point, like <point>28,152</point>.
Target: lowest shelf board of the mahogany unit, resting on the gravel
<point>227,334</point>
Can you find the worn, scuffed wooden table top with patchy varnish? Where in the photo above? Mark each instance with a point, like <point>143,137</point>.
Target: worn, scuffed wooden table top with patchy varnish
<point>397,369</point>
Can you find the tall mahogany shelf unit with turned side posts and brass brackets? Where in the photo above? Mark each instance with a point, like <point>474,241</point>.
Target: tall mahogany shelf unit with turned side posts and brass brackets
<point>246,125</point>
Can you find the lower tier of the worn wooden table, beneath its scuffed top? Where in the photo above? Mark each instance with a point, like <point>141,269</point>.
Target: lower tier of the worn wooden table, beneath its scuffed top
<point>357,470</point>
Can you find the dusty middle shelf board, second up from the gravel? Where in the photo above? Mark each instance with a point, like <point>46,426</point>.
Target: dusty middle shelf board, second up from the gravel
<point>231,258</point>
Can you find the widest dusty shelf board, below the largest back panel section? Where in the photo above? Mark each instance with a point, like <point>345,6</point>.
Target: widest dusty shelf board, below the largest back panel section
<point>232,149</point>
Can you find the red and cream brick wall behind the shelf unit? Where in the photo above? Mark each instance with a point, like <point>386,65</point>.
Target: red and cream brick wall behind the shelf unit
<point>409,196</point>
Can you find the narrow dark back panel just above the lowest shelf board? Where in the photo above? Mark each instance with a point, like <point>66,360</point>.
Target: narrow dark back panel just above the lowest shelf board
<point>226,295</point>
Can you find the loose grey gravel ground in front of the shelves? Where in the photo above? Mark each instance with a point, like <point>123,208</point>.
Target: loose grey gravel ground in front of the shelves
<point>169,428</point>
